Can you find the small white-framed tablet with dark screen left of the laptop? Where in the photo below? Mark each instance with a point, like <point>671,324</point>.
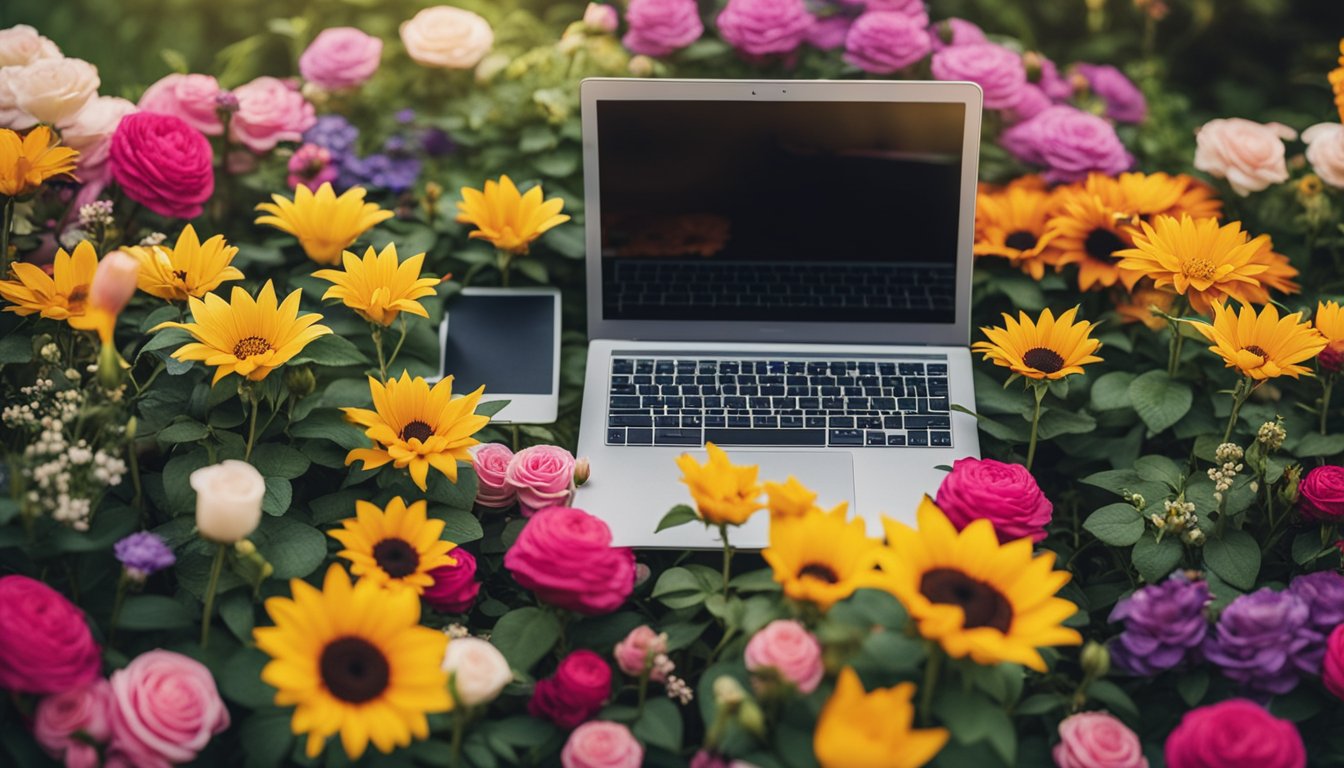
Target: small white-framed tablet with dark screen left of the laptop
<point>510,341</point>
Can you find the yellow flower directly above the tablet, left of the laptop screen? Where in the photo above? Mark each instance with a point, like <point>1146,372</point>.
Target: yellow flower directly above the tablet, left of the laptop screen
<point>507,220</point>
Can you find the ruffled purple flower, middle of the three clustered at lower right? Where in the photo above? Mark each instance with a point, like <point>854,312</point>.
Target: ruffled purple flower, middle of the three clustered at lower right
<point>1259,640</point>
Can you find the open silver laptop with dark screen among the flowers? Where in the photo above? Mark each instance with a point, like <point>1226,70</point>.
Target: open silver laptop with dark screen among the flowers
<point>782,268</point>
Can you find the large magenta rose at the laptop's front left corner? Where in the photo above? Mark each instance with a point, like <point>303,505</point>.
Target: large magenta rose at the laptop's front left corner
<point>566,558</point>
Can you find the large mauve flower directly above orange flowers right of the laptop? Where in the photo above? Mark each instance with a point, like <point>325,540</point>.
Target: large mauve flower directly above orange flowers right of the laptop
<point>1068,142</point>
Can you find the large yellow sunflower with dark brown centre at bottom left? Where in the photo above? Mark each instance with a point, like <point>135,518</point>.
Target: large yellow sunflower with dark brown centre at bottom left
<point>354,661</point>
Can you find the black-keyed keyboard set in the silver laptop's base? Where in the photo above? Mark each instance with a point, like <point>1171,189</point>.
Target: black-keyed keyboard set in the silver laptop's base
<point>760,401</point>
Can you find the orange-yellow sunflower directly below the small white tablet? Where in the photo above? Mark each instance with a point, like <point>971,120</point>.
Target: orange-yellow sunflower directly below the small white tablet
<point>417,427</point>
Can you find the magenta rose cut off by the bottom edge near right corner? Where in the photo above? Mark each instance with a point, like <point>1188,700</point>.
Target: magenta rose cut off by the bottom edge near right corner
<point>1236,734</point>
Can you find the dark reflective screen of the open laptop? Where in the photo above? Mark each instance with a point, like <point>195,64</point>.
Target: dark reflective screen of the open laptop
<point>780,210</point>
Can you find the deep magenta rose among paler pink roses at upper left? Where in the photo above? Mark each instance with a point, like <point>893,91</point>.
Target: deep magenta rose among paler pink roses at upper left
<point>163,163</point>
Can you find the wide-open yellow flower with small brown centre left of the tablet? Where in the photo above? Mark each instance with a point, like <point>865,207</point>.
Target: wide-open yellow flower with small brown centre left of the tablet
<point>247,337</point>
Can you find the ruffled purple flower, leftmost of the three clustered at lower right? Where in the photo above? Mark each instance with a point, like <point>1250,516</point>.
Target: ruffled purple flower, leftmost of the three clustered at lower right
<point>1163,622</point>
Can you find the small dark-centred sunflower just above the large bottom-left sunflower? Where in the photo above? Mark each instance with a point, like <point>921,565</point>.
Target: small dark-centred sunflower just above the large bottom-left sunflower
<point>396,547</point>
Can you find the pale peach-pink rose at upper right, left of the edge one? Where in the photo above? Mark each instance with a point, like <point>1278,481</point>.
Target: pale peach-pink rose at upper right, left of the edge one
<point>1248,154</point>
